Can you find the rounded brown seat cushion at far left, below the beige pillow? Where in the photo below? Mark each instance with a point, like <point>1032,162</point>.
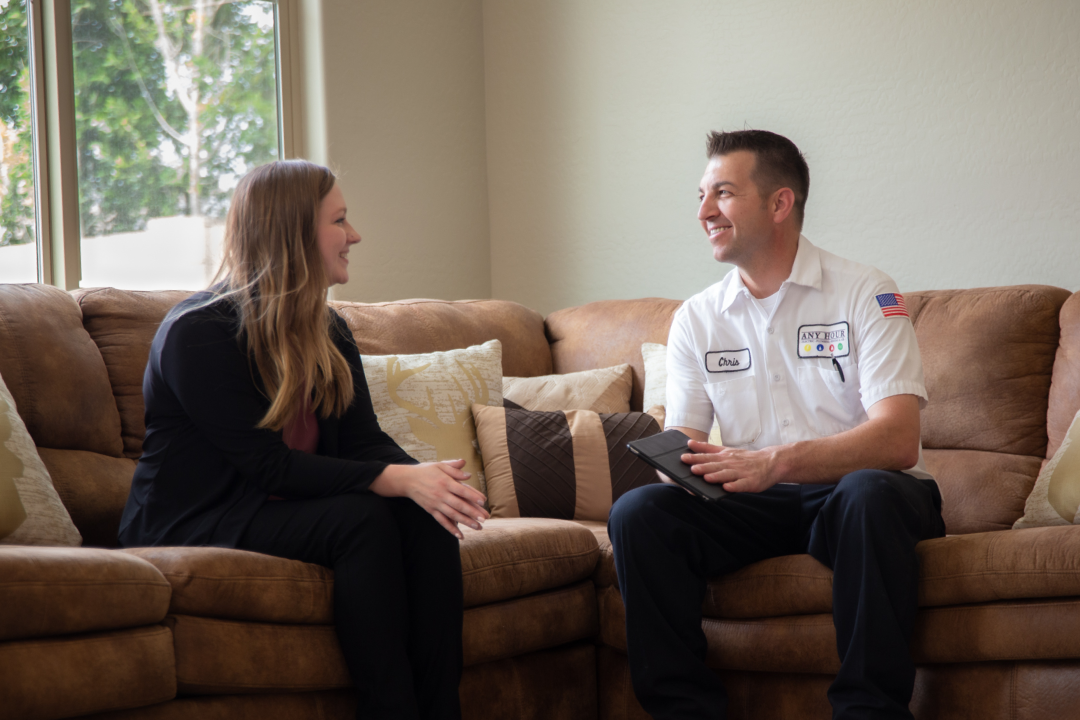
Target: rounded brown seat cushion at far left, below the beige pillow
<point>55,591</point>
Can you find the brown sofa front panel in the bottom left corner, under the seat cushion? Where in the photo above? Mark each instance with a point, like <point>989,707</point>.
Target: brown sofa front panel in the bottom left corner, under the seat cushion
<point>82,674</point>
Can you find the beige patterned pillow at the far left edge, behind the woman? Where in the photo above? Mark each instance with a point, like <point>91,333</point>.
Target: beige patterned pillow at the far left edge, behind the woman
<point>23,474</point>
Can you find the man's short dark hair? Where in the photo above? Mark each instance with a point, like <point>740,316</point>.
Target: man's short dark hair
<point>778,162</point>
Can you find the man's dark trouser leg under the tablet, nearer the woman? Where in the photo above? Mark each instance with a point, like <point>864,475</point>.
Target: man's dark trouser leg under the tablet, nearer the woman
<point>667,544</point>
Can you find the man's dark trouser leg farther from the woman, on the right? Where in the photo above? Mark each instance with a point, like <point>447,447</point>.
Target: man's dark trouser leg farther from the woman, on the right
<point>867,533</point>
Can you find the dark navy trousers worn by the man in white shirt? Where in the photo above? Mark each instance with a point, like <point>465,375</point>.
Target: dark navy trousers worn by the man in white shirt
<point>667,544</point>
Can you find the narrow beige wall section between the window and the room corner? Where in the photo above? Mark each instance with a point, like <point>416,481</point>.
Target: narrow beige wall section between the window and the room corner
<point>403,90</point>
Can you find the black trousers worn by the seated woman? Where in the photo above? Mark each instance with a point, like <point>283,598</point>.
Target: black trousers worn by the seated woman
<point>398,597</point>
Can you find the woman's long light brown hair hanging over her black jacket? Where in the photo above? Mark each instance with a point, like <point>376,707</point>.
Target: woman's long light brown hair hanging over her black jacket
<point>274,271</point>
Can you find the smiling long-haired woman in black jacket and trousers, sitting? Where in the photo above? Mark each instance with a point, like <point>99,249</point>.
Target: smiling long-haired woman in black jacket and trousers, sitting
<point>261,436</point>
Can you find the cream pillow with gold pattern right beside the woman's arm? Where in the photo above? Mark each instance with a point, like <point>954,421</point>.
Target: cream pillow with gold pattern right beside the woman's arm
<point>425,402</point>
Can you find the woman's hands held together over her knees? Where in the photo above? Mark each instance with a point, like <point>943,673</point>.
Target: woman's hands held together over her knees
<point>439,488</point>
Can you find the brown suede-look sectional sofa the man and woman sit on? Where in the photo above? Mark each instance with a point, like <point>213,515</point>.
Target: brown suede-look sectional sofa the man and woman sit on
<point>210,633</point>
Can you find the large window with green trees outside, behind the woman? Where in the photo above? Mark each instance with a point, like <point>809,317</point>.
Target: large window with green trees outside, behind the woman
<point>153,112</point>
